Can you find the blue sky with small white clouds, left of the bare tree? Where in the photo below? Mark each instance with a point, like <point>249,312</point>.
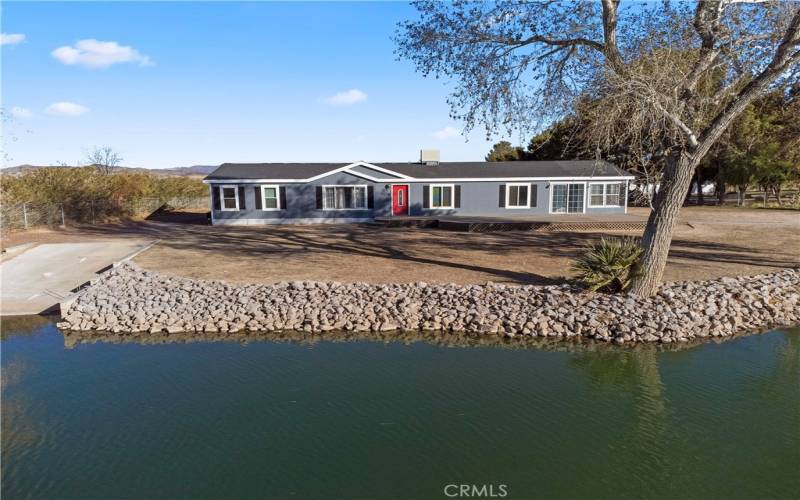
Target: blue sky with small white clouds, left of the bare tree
<point>205,83</point>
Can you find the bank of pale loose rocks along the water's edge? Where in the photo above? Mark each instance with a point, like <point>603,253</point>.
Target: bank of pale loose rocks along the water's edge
<point>129,299</point>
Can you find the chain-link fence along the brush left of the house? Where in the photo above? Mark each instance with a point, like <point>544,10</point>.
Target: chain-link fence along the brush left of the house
<point>25,216</point>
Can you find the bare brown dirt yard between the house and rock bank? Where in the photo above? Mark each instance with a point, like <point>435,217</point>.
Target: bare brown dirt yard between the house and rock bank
<point>709,242</point>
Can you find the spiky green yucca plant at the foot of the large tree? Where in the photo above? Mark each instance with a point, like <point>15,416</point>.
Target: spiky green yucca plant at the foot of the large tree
<point>609,265</point>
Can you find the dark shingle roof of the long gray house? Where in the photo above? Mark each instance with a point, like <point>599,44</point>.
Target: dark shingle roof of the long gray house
<point>445,170</point>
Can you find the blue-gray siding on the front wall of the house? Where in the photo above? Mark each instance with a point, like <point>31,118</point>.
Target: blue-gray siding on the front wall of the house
<point>477,198</point>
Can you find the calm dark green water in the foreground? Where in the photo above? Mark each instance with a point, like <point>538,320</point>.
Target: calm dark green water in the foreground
<point>368,419</point>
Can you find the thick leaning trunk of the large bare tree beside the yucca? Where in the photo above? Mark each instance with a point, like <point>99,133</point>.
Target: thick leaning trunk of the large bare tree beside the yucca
<point>658,232</point>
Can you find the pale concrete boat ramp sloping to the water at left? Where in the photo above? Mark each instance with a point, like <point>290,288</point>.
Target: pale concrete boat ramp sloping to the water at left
<point>36,278</point>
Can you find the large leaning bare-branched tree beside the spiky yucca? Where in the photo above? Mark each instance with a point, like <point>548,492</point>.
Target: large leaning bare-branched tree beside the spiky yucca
<point>673,76</point>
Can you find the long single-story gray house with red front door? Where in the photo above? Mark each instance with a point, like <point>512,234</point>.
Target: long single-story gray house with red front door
<point>274,193</point>
